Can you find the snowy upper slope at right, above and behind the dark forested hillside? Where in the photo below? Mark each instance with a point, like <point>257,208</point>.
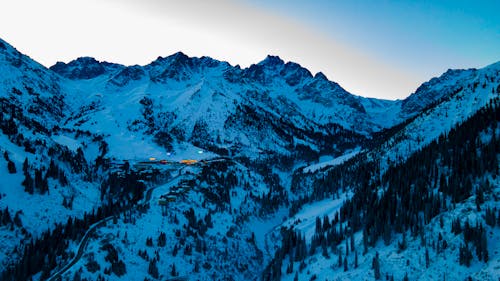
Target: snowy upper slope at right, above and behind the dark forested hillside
<point>471,91</point>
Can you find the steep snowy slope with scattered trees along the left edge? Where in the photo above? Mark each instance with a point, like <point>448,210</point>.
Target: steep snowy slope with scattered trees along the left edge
<point>33,106</point>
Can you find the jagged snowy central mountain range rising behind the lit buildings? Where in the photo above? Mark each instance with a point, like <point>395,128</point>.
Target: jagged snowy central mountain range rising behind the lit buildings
<point>207,101</point>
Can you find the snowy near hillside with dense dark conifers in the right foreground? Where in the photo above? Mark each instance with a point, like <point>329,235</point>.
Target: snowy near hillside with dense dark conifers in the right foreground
<point>455,235</point>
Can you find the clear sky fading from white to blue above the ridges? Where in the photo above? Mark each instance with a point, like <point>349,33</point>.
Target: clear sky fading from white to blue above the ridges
<point>381,49</point>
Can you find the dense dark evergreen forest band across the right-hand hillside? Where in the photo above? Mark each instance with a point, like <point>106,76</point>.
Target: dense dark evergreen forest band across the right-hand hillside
<point>405,199</point>
